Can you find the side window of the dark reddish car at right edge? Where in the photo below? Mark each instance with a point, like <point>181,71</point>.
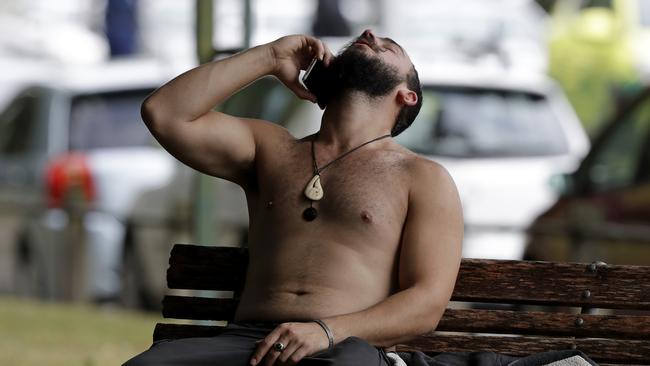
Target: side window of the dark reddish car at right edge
<point>615,162</point>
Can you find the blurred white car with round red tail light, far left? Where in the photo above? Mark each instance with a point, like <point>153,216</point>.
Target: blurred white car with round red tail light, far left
<point>73,155</point>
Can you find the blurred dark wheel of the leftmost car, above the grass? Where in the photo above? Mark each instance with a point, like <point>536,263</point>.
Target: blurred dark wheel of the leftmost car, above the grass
<point>29,279</point>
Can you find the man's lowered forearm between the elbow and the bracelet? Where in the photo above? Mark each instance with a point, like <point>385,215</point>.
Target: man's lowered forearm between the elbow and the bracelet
<point>398,318</point>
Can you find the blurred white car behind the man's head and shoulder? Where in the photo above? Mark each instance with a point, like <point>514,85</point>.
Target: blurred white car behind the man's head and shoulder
<point>501,135</point>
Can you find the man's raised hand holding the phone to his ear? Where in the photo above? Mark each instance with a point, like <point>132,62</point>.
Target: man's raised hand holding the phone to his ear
<point>294,53</point>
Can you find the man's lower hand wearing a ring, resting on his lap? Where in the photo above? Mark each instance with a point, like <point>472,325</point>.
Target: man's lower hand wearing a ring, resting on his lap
<point>299,339</point>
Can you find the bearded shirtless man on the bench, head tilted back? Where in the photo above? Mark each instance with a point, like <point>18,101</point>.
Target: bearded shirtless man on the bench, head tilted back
<point>377,264</point>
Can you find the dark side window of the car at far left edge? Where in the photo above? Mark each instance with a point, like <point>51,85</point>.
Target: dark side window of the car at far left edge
<point>17,125</point>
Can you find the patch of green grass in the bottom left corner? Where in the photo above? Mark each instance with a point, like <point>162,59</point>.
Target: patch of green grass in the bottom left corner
<point>36,333</point>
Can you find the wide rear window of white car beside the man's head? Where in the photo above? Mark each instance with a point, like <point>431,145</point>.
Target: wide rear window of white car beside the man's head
<point>464,122</point>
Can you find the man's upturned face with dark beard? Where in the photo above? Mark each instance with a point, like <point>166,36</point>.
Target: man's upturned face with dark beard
<point>371,65</point>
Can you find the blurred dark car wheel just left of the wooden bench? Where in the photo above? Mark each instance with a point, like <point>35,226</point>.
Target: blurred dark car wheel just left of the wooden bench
<point>134,294</point>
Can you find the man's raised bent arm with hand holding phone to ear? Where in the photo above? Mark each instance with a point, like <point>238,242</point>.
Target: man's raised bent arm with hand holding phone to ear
<point>179,114</point>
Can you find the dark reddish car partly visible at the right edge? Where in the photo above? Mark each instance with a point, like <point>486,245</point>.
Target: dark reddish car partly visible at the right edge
<point>603,213</point>
